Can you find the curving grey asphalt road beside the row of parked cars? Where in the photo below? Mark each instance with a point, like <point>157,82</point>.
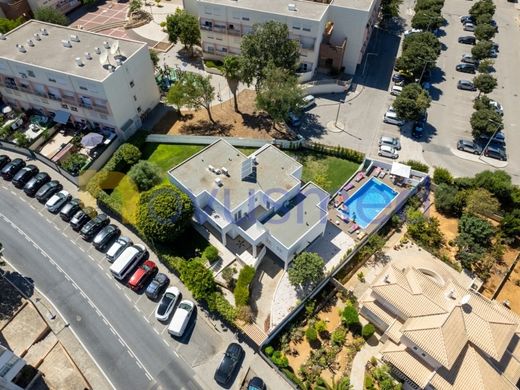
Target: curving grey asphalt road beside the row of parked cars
<point>123,343</point>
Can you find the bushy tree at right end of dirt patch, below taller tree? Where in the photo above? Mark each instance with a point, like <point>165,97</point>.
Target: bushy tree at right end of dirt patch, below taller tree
<point>279,94</point>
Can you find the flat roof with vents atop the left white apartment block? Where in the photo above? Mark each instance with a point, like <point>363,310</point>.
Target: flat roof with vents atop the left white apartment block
<point>48,52</point>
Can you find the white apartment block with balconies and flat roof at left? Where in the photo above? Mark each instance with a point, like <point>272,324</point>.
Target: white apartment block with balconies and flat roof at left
<point>78,76</point>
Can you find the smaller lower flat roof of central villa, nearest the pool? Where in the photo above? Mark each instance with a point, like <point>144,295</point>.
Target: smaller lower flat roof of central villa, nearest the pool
<point>306,209</point>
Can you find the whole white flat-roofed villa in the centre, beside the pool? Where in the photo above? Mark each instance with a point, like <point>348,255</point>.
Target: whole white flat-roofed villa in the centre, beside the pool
<point>253,203</point>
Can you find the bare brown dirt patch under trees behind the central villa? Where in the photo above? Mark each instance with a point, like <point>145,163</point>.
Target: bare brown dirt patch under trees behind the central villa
<point>248,123</point>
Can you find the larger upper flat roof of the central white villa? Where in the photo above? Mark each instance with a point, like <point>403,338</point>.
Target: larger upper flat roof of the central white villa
<point>274,173</point>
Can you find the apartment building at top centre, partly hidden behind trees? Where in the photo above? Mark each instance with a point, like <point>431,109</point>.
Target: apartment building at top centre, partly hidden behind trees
<point>333,34</point>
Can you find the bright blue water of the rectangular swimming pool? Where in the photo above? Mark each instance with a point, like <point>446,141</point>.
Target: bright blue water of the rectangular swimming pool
<point>366,203</point>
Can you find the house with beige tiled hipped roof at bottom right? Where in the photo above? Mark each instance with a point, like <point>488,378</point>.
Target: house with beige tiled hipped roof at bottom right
<point>441,335</point>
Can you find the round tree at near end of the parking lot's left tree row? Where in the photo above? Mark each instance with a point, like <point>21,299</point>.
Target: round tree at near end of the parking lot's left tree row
<point>412,102</point>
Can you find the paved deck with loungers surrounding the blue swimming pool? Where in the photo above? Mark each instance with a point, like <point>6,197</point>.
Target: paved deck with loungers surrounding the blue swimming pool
<point>402,191</point>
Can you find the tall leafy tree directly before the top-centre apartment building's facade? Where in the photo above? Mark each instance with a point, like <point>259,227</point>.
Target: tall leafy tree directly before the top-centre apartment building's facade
<point>268,44</point>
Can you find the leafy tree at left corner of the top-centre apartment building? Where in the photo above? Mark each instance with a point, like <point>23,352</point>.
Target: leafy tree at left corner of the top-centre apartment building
<point>183,27</point>
